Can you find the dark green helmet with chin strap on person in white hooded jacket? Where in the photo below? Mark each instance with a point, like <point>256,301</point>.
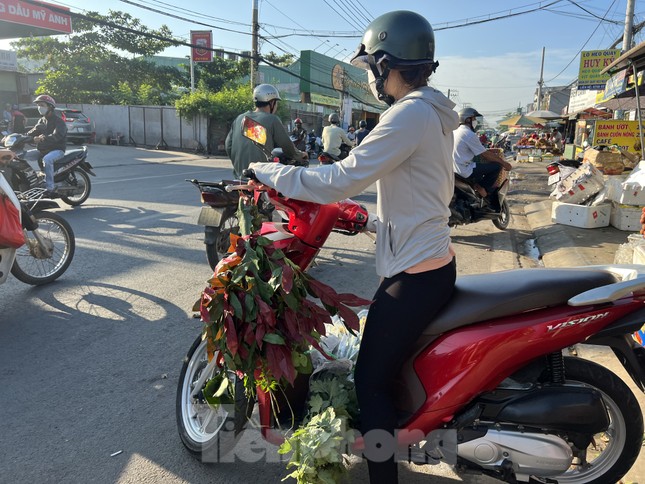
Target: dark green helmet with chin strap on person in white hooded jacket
<point>403,38</point>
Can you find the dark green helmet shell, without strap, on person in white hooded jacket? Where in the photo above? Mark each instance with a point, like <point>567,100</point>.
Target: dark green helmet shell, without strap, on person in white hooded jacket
<point>406,37</point>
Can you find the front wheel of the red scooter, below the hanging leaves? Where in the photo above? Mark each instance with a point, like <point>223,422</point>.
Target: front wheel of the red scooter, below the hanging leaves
<point>208,433</point>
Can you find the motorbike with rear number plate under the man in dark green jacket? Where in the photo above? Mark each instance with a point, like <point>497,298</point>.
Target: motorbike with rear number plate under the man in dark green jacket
<point>219,211</point>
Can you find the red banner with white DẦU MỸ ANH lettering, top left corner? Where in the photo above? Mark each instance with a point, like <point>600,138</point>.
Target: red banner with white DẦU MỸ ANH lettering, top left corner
<point>22,13</point>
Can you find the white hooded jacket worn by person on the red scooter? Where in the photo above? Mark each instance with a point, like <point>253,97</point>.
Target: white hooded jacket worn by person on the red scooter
<point>409,155</point>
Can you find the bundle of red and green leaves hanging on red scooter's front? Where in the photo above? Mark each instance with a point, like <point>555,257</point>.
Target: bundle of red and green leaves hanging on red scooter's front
<point>257,312</point>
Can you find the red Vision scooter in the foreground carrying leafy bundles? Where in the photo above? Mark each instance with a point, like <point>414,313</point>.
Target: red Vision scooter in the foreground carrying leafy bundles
<point>487,388</point>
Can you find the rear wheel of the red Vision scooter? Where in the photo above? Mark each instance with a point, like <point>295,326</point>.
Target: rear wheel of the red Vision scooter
<point>613,452</point>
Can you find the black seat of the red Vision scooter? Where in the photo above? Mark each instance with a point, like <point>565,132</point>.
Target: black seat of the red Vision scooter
<point>480,297</point>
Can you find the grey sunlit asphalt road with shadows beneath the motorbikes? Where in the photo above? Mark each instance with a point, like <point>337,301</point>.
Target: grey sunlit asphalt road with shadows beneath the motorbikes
<point>89,364</point>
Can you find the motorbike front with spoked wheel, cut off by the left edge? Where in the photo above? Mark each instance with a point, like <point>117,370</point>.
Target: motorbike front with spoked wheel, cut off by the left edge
<point>49,242</point>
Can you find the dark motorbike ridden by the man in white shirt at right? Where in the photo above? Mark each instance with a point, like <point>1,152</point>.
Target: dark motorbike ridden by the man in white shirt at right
<point>468,206</point>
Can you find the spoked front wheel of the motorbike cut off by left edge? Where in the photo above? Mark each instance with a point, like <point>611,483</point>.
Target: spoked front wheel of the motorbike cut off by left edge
<point>41,261</point>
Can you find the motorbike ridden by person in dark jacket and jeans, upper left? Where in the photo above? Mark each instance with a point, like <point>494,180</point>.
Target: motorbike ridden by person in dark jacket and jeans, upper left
<point>71,172</point>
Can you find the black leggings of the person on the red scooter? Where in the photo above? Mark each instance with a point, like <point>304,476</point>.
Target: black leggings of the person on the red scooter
<point>403,306</point>
